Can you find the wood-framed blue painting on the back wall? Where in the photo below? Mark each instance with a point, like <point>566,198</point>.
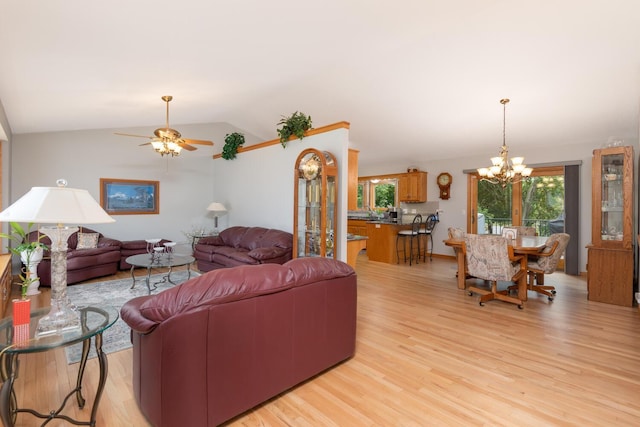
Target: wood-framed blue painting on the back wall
<point>129,196</point>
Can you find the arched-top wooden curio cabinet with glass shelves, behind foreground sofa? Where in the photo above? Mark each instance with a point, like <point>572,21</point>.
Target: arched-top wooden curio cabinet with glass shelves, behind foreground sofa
<point>315,204</point>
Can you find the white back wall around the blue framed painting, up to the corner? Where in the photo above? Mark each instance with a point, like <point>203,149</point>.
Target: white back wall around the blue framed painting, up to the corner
<point>83,157</point>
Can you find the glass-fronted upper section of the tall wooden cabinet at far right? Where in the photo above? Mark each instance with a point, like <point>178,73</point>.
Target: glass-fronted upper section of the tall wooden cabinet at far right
<point>613,196</point>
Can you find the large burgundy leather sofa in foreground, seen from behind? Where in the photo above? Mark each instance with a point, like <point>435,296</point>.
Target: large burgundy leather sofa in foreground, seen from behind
<point>222,343</point>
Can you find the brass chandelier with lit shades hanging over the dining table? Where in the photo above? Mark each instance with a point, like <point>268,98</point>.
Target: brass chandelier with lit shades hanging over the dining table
<point>504,170</point>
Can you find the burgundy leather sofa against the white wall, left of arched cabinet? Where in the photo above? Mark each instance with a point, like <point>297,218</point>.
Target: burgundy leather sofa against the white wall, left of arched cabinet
<point>239,245</point>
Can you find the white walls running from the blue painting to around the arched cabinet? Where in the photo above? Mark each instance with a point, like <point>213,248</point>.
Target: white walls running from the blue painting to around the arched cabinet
<point>256,187</point>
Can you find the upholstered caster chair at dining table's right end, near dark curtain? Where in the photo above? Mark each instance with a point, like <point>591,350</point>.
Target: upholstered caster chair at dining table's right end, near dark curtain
<point>546,262</point>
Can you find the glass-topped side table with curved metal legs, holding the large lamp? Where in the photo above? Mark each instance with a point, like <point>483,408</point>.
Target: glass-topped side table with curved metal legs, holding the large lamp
<point>93,320</point>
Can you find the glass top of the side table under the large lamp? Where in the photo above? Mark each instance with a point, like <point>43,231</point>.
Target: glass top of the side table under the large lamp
<point>93,320</point>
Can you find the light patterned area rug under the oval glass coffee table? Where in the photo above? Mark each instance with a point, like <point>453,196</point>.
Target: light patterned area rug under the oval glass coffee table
<point>115,293</point>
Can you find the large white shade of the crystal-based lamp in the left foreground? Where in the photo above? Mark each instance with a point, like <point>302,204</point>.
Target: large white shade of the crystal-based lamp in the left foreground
<point>56,205</point>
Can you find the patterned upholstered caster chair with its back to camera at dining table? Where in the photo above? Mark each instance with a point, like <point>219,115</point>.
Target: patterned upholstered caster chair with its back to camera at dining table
<point>491,258</point>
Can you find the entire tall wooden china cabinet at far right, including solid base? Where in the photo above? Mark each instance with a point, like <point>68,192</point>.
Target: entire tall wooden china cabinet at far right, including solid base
<point>610,262</point>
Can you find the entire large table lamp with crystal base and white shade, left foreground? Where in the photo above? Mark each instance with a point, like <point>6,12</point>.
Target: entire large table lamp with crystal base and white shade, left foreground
<point>57,205</point>
